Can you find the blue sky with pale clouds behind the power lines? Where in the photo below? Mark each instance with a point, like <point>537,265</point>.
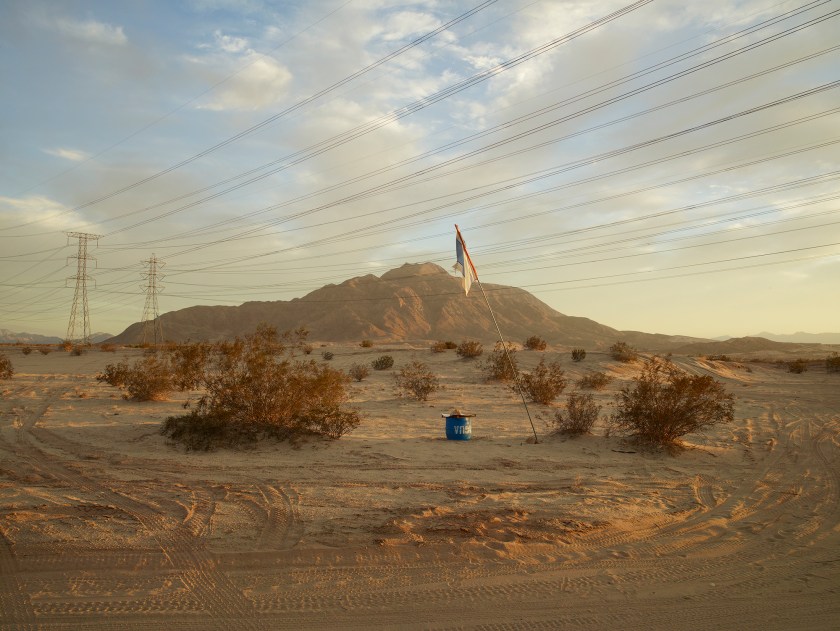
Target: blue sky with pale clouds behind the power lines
<point>660,166</point>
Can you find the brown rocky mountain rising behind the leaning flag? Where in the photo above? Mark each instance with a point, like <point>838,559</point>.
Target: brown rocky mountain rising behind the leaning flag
<point>412,302</point>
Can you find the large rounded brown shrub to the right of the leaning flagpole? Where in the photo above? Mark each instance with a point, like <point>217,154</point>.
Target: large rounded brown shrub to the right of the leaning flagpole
<point>665,403</point>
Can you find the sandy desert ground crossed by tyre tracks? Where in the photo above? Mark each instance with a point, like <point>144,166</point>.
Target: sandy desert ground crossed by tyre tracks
<point>103,525</point>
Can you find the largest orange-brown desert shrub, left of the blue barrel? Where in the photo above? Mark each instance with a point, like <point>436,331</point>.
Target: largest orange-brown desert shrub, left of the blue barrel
<point>254,390</point>
